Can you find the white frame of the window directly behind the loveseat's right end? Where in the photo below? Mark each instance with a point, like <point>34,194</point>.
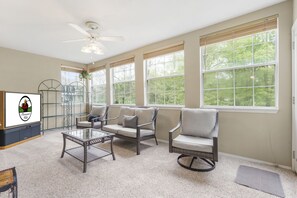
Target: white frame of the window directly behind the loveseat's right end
<point>146,79</point>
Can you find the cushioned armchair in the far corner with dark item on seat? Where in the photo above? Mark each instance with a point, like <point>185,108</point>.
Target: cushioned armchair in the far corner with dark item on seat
<point>92,120</point>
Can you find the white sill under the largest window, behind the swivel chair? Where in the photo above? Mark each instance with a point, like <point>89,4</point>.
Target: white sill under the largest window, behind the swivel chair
<point>243,110</point>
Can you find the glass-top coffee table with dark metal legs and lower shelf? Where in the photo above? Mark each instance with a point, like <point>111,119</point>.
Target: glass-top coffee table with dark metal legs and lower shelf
<point>86,138</point>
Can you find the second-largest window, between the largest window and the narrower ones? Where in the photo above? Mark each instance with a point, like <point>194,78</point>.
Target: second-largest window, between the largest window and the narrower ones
<point>165,78</point>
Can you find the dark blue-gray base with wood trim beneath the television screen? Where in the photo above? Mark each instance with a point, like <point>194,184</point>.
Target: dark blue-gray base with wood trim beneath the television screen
<point>12,136</point>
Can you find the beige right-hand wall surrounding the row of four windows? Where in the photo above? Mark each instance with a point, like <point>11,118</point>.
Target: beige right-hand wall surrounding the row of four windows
<point>262,136</point>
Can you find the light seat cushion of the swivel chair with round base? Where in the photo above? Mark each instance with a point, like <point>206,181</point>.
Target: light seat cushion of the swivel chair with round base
<point>193,143</point>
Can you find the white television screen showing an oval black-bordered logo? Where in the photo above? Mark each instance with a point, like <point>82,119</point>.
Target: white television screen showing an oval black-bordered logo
<point>21,108</point>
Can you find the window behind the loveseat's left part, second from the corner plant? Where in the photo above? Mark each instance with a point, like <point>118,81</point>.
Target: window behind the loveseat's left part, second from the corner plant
<point>123,82</point>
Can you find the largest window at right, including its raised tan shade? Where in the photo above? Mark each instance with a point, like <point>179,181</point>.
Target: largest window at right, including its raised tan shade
<point>240,71</point>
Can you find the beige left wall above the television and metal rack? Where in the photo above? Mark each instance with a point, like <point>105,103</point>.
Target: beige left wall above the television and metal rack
<point>23,72</point>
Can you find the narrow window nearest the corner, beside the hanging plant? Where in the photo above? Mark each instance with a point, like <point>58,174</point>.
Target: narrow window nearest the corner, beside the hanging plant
<point>98,86</point>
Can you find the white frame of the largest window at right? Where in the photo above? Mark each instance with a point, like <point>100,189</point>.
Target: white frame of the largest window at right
<point>252,109</point>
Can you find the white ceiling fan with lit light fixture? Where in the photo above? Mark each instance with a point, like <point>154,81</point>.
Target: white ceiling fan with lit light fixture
<point>93,36</point>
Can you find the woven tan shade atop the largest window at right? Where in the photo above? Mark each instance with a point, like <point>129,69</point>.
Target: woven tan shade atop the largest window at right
<point>260,25</point>
